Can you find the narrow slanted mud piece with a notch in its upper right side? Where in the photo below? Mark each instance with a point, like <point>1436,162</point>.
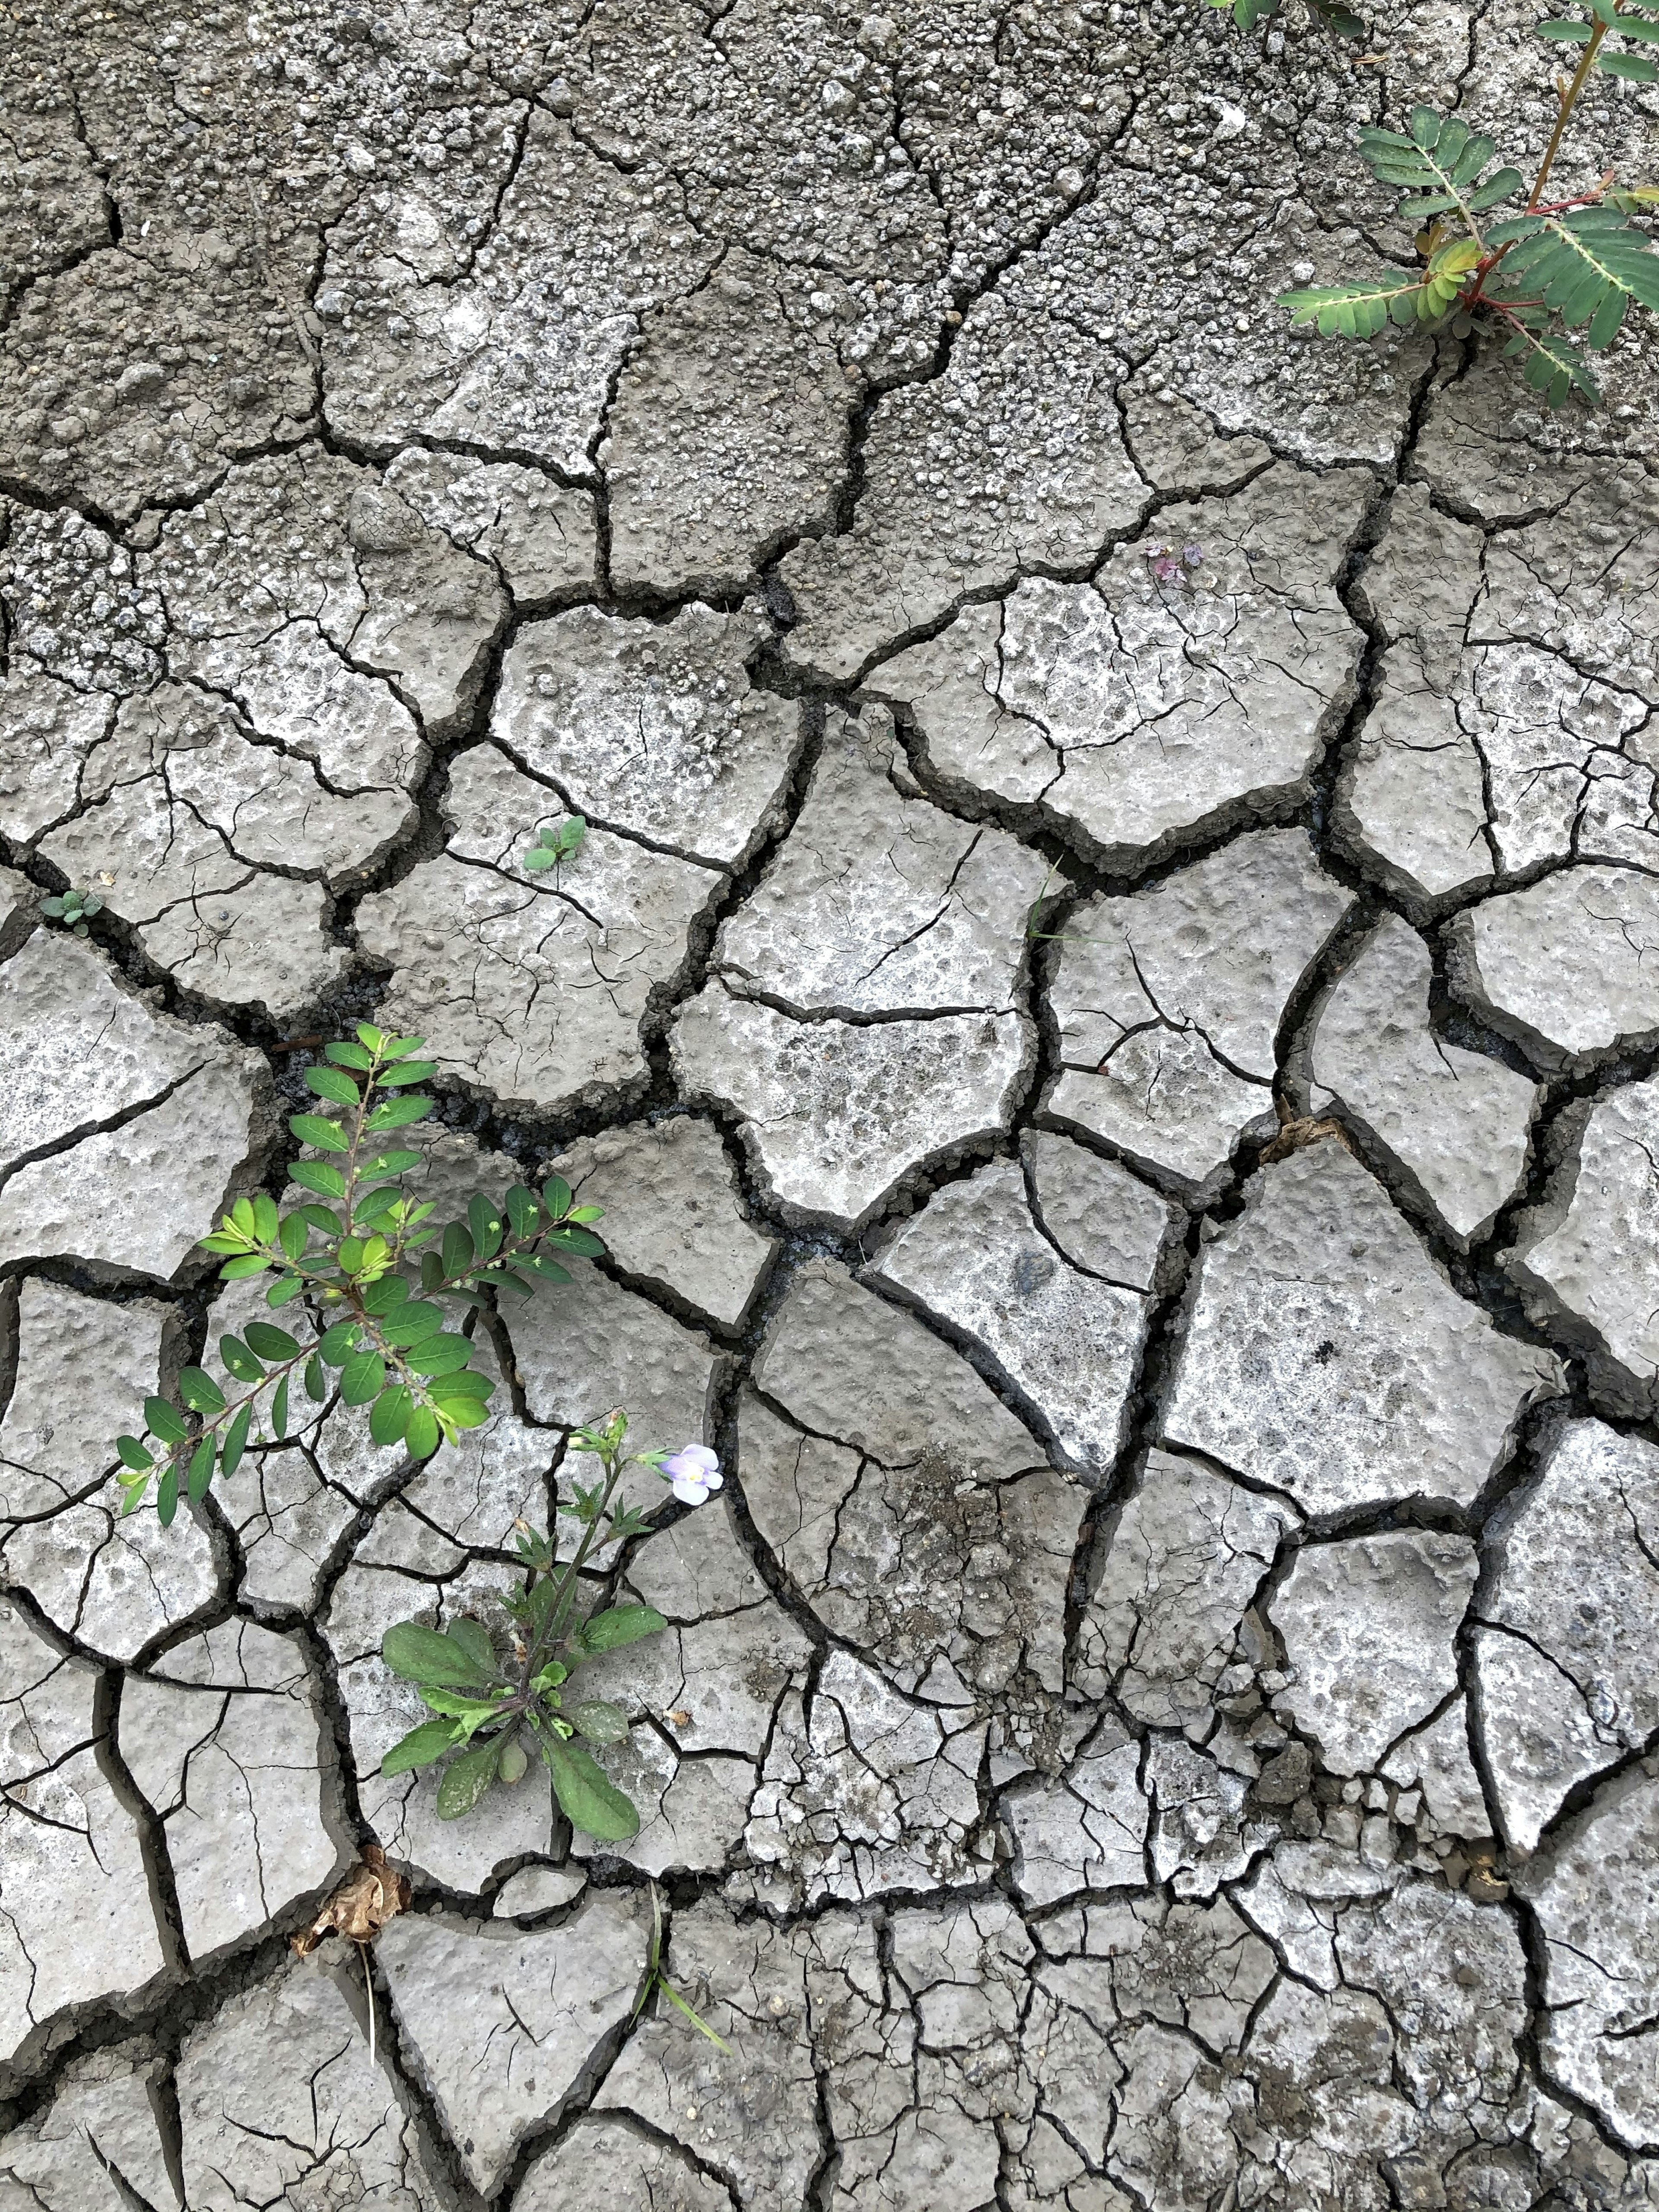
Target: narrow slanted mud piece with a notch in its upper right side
<point>1452,1120</point>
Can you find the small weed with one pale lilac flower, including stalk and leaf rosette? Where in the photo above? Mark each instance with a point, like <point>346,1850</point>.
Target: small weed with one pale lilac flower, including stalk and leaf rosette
<point>497,1707</point>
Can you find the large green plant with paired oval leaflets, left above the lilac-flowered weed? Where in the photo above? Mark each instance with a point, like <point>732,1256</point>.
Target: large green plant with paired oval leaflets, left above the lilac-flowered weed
<point>368,1264</point>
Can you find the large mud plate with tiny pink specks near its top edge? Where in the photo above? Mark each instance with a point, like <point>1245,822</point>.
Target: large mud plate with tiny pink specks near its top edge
<point>1142,709</point>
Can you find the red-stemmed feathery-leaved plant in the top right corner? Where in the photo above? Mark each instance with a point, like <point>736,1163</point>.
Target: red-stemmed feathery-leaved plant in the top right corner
<point>1554,269</point>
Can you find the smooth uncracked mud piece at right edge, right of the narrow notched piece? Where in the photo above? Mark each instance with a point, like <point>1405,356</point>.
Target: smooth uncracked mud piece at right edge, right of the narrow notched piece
<point>1565,966</point>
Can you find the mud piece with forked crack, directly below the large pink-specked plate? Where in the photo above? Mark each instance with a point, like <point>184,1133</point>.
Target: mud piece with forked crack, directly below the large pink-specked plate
<point>1169,1001</point>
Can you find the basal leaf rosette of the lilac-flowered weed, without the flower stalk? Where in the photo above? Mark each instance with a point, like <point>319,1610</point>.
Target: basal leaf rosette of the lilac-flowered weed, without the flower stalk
<point>490,1713</point>
